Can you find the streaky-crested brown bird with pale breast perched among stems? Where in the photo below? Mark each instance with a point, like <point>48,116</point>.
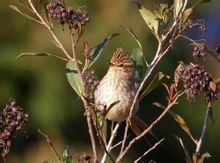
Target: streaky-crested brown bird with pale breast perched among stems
<point>116,91</point>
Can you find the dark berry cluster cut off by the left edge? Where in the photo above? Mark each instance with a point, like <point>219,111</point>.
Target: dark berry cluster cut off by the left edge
<point>12,118</point>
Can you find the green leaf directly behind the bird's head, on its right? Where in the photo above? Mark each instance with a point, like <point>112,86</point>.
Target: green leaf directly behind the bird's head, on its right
<point>137,56</point>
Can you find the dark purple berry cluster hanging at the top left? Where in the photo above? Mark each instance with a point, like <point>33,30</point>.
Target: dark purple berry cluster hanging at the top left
<point>66,15</point>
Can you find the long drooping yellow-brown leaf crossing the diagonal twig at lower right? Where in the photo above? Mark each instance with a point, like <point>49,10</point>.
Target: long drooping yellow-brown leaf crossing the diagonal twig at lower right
<point>180,121</point>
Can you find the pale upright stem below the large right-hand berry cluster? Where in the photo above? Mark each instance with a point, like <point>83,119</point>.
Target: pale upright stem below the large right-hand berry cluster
<point>204,129</point>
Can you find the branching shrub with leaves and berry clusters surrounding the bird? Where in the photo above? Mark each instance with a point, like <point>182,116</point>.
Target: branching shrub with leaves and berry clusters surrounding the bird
<point>167,24</point>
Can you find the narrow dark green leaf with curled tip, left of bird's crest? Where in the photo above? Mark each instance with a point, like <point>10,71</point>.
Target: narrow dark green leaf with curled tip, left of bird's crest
<point>97,51</point>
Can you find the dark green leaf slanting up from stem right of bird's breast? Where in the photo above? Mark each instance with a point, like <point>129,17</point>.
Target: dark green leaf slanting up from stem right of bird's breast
<point>157,81</point>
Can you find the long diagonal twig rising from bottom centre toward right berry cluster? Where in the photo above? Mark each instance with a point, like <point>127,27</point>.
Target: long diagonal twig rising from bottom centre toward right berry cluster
<point>150,127</point>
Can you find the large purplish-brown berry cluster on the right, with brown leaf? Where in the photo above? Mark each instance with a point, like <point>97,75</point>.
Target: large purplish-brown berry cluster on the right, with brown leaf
<point>196,80</point>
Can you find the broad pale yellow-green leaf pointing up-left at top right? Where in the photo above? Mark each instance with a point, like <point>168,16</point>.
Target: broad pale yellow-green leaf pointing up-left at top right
<point>150,19</point>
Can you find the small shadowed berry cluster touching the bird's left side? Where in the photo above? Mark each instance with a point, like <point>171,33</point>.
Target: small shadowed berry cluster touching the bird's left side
<point>90,82</point>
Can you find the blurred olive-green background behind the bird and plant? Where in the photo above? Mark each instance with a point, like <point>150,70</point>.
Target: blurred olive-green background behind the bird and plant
<point>40,86</point>
